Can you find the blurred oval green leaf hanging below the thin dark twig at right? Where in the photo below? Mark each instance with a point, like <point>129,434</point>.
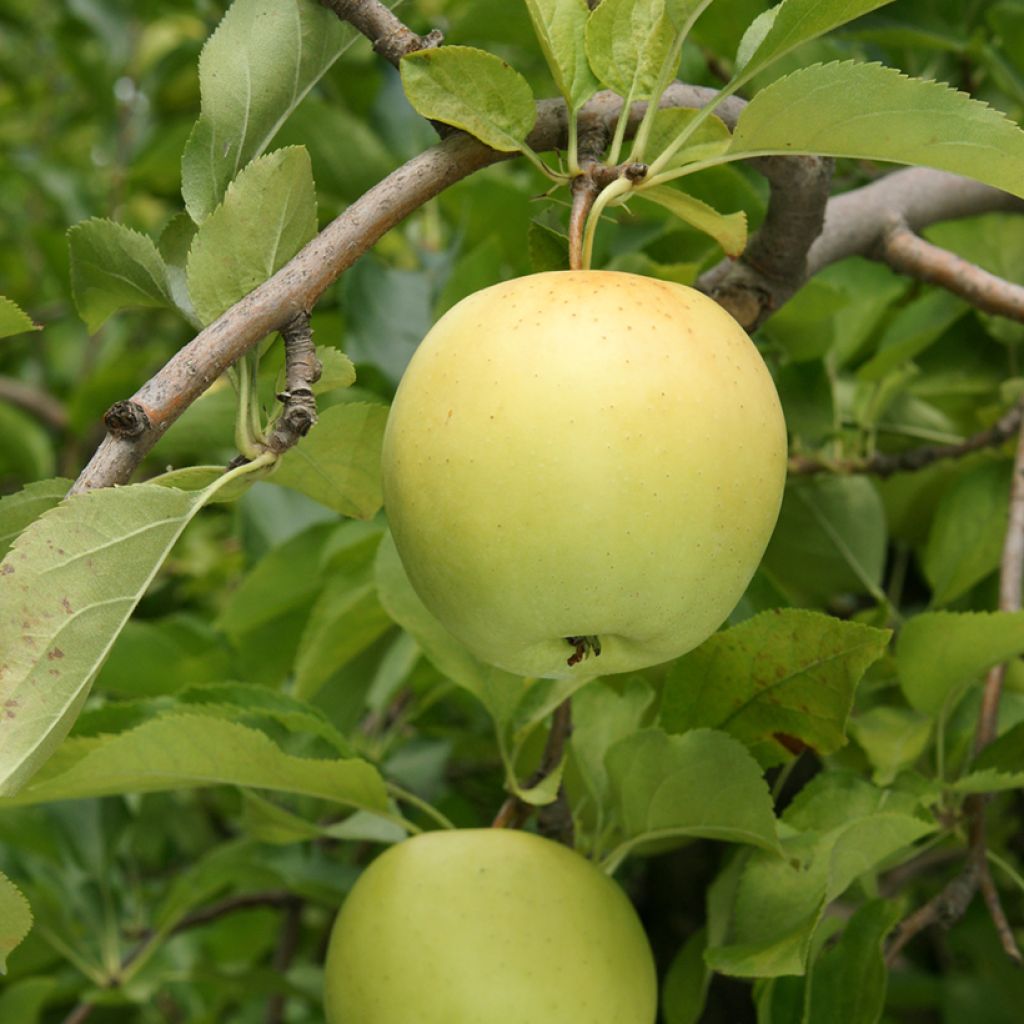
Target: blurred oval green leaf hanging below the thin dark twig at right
<point>965,543</point>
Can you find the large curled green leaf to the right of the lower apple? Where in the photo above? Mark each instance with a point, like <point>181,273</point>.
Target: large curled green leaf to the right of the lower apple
<point>781,902</point>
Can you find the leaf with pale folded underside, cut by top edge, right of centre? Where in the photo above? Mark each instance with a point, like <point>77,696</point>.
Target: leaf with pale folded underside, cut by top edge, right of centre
<point>788,25</point>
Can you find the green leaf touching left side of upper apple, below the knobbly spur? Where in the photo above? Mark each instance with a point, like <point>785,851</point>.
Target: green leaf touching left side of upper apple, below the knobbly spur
<point>338,463</point>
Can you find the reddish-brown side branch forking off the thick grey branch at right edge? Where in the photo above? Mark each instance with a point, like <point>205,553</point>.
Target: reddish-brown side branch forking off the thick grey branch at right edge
<point>906,251</point>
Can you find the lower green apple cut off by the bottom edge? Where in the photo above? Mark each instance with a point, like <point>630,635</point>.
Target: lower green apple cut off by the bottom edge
<point>488,926</point>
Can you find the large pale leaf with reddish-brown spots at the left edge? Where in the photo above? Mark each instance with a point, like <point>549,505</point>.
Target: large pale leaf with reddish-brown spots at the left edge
<point>68,587</point>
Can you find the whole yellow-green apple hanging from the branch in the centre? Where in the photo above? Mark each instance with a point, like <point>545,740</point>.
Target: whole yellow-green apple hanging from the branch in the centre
<point>584,454</point>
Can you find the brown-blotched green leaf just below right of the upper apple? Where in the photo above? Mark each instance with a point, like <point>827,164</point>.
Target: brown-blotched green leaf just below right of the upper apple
<point>779,681</point>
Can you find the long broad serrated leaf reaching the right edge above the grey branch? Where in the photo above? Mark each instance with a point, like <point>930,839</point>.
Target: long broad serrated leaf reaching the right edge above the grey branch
<point>871,112</point>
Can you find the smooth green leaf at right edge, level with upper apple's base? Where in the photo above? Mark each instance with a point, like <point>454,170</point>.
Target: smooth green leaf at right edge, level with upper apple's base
<point>940,654</point>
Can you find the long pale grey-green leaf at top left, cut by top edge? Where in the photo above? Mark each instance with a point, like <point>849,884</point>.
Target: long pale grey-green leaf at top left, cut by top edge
<point>264,59</point>
